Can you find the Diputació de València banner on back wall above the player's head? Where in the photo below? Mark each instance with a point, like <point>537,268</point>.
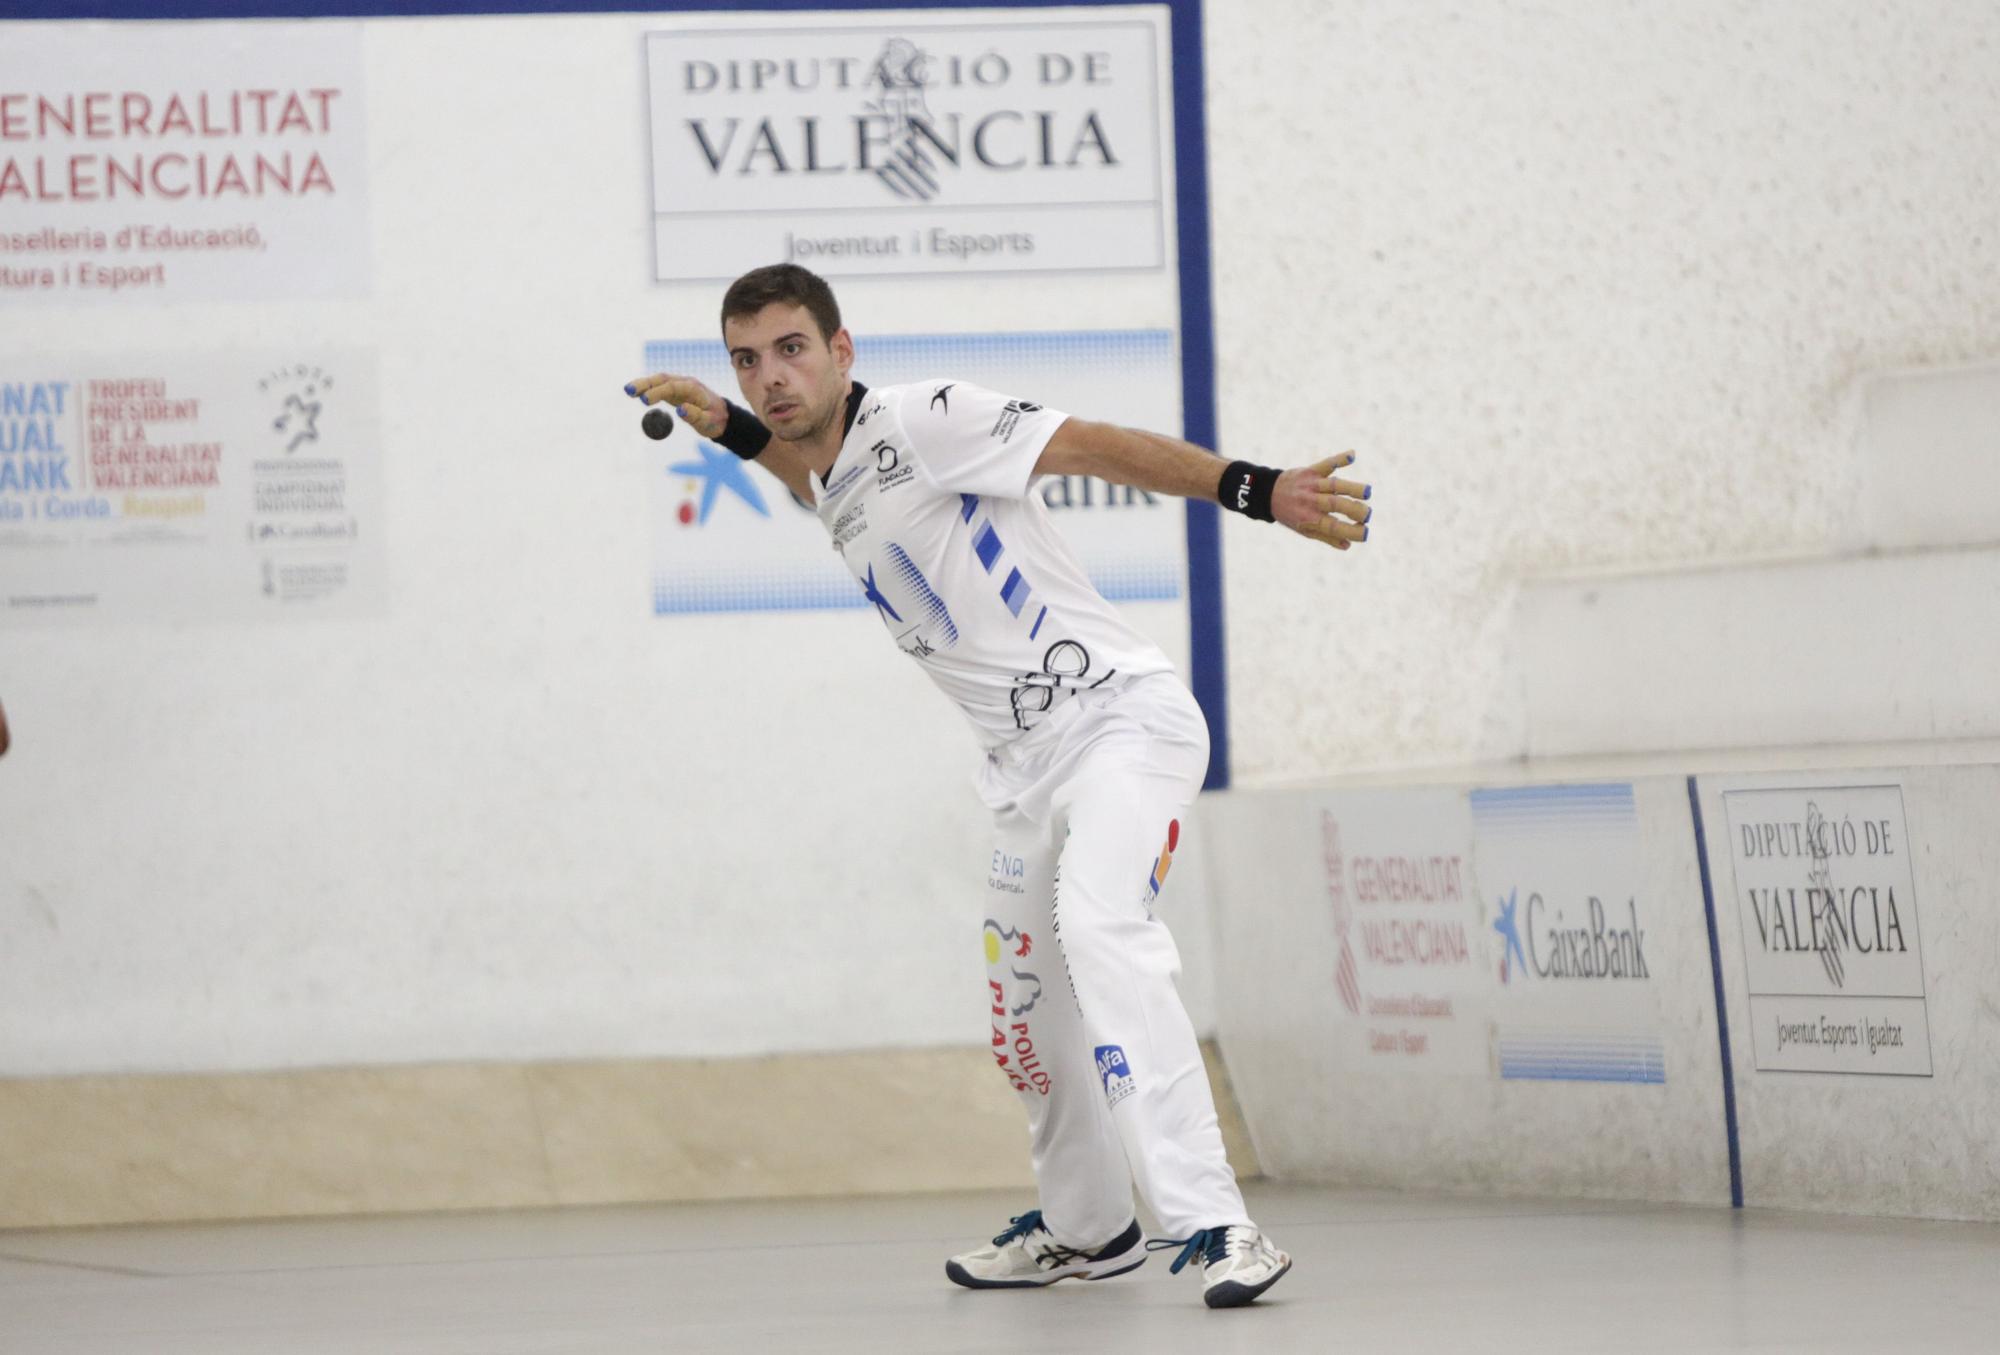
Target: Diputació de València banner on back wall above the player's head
<point>911,145</point>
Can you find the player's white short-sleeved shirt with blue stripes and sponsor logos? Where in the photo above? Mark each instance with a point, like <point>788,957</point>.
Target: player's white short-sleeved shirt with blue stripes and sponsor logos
<point>931,509</point>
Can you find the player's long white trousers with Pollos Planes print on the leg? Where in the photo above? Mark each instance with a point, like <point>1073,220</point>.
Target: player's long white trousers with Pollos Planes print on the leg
<point>1087,1022</point>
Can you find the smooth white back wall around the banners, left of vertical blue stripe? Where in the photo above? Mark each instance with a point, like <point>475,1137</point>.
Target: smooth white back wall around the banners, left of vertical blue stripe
<point>517,816</point>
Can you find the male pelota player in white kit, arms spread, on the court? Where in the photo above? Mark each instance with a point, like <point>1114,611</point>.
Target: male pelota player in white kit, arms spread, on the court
<point>1095,752</point>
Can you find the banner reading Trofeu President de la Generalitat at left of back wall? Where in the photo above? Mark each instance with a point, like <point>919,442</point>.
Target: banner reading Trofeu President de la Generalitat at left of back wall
<point>189,487</point>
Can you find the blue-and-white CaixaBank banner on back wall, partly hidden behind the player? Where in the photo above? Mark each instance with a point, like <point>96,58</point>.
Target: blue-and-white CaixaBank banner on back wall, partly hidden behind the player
<point>731,539</point>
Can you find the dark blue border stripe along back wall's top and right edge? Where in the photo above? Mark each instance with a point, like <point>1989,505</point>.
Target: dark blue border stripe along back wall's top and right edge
<point>1191,161</point>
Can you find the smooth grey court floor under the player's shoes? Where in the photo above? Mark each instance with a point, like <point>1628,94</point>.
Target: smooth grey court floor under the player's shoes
<point>1375,1272</point>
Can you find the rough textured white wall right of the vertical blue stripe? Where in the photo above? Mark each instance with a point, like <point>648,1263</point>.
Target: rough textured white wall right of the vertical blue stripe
<point>1589,287</point>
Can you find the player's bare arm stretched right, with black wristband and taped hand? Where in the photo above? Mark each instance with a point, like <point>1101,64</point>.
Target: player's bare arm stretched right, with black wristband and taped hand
<point>1313,501</point>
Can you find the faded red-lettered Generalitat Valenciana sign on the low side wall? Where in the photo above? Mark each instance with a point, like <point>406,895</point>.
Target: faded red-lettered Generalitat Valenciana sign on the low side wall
<point>1411,970</point>
